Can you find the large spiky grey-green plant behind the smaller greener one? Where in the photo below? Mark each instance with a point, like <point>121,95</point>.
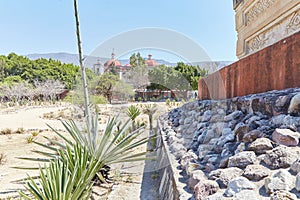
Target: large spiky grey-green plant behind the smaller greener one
<point>114,145</point>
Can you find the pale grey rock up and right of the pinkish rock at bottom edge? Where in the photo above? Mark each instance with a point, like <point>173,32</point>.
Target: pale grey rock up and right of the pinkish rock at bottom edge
<point>223,176</point>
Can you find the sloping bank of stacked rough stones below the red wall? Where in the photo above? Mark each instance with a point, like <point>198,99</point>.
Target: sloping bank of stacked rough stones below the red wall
<point>241,148</point>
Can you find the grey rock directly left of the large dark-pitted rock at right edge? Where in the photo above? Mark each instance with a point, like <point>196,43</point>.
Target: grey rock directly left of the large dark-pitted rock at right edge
<point>242,159</point>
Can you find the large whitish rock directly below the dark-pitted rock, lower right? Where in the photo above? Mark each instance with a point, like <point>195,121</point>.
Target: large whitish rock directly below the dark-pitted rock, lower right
<point>280,180</point>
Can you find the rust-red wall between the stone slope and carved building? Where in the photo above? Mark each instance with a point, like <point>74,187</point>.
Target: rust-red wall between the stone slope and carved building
<point>276,67</point>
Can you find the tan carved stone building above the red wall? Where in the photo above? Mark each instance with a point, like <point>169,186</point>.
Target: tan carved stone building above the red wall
<point>261,23</point>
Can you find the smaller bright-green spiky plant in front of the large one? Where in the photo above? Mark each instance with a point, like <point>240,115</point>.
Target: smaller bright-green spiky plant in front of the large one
<point>68,177</point>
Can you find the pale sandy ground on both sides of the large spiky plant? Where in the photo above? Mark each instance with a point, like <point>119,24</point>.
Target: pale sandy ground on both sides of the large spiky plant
<point>129,181</point>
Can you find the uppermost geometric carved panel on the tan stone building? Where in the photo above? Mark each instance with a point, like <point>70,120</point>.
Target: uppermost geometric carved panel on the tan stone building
<point>257,9</point>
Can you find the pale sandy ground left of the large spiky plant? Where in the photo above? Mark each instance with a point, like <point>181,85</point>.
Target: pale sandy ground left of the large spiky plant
<point>16,145</point>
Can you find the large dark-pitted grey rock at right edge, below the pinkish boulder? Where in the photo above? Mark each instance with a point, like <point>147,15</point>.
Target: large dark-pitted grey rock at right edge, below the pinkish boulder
<point>281,157</point>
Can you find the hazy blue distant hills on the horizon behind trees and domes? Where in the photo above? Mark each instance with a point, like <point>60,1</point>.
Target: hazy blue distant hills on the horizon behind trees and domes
<point>89,61</point>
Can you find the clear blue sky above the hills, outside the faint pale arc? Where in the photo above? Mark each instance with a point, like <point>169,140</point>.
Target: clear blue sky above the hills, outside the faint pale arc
<point>47,26</point>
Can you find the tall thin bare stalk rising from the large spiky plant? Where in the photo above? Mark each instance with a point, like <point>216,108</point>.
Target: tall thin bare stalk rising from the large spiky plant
<point>83,75</point>
